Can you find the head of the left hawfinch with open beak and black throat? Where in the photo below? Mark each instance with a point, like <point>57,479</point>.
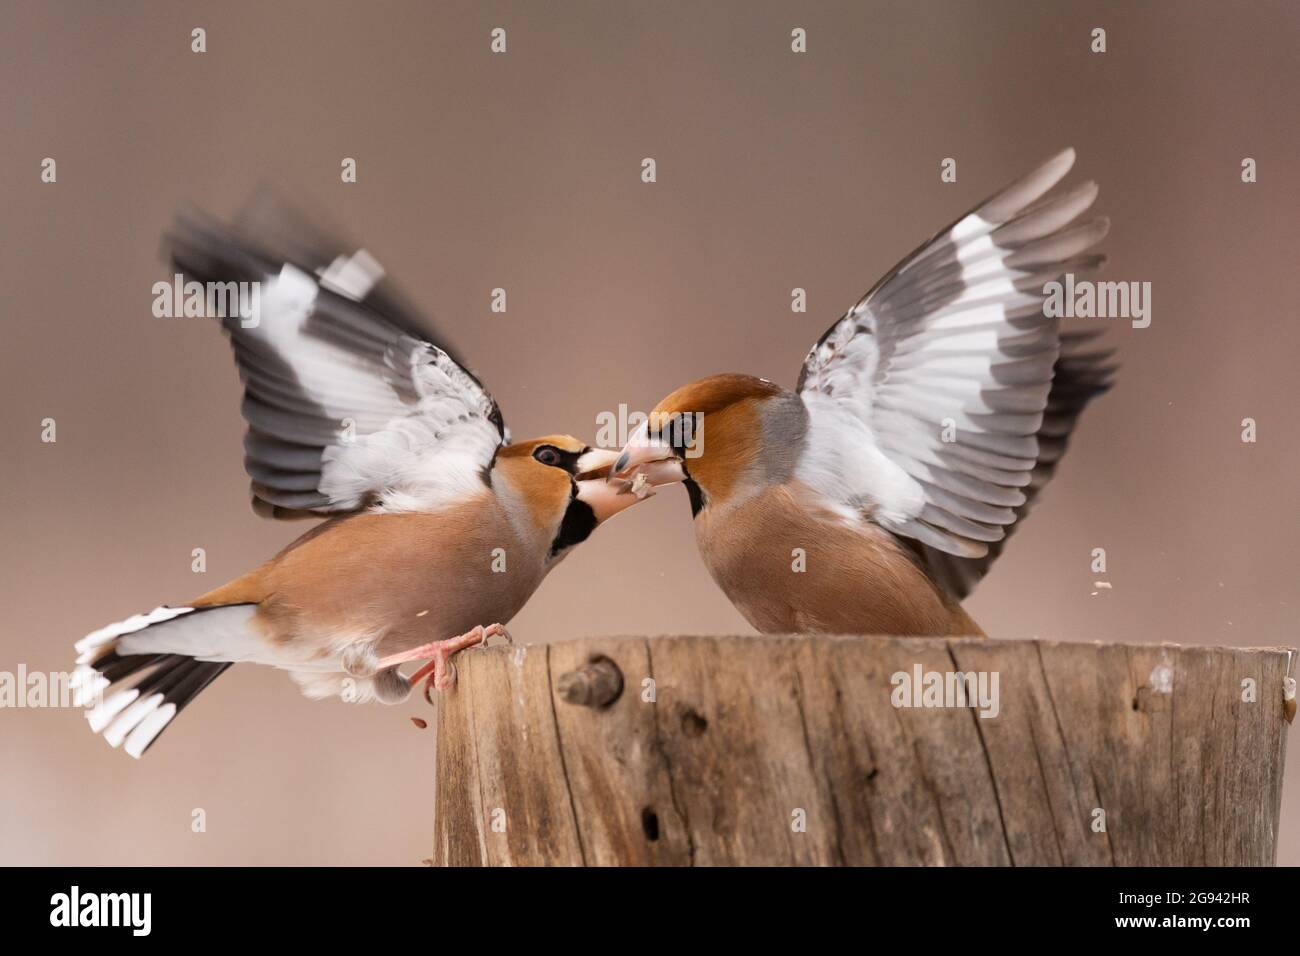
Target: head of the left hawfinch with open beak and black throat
<point>564,486</point>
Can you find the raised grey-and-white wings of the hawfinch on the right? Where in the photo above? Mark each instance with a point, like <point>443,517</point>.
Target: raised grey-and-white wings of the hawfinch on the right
<point>929,401</point>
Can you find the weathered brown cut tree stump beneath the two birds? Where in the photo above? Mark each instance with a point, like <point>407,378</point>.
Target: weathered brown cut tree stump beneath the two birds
<point>747,751</point>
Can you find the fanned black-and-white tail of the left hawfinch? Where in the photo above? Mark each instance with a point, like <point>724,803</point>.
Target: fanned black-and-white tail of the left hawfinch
<point>155,665</point>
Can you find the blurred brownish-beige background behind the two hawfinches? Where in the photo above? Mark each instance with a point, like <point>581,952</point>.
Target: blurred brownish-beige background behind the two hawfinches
<point>523,171</point>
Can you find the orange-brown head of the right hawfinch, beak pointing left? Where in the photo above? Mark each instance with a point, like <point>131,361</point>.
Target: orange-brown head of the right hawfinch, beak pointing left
<point>709,435</point>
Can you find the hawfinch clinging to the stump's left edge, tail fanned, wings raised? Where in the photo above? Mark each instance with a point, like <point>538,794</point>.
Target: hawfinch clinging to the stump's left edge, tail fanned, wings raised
<point>437,525</point>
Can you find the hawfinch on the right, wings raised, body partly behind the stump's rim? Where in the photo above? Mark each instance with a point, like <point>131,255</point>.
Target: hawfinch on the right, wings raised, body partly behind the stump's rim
<point>874,498</point>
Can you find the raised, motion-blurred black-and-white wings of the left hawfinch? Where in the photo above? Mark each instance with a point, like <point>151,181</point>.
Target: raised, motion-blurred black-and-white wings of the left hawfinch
<point>350,401</point>
